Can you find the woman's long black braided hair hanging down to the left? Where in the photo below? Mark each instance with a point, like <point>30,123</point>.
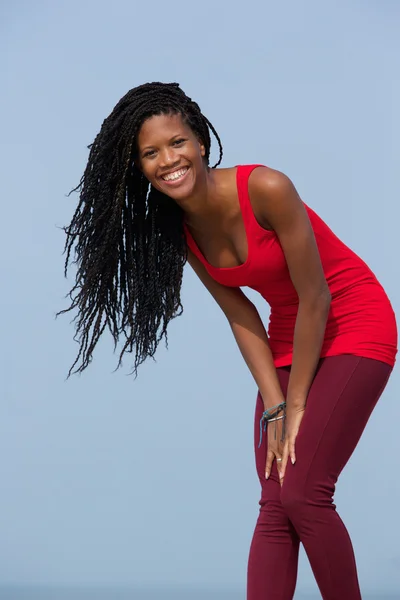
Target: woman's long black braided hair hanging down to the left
<point>127,238</point>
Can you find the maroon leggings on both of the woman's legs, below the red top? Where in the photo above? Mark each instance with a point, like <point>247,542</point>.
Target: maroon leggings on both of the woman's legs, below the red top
<point>342,396</point>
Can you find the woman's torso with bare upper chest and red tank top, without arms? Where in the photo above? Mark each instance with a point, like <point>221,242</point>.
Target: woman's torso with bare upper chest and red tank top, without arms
<point>238,250</point>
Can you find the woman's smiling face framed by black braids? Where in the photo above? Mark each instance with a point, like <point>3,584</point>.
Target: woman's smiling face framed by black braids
<point>170,155</point>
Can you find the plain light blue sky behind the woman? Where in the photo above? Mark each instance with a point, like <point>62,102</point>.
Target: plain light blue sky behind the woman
<point>110,481</point>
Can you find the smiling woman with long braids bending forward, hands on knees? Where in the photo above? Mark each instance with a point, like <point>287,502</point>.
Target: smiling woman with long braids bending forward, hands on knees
<point>149,202</point>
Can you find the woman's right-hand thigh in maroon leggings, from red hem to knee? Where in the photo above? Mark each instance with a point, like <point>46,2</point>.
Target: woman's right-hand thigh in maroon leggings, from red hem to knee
<point>340,401</point>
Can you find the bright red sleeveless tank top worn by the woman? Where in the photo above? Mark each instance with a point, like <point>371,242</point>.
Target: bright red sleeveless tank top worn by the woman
<point>361,320</point>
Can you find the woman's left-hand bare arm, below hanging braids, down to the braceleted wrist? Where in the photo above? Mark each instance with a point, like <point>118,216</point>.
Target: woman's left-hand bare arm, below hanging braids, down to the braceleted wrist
<point>249,333</point>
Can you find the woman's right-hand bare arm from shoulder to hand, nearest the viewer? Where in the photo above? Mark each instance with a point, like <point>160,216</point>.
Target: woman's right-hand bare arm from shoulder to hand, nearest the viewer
<point>278,206</point>
